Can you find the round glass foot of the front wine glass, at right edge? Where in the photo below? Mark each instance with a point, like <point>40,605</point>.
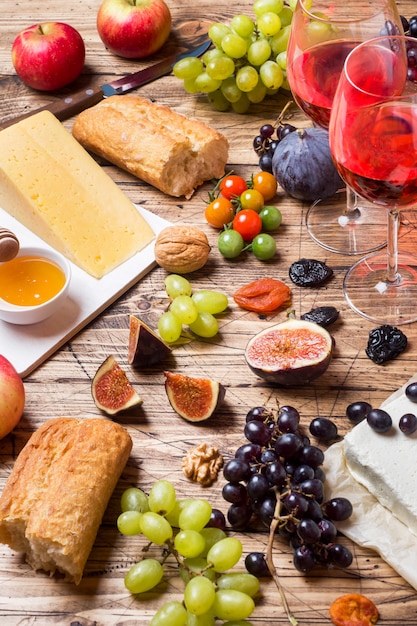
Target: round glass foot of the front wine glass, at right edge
<point>369,295</point>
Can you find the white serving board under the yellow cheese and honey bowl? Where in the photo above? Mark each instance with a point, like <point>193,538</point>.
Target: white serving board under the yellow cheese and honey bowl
<point>26,347</point>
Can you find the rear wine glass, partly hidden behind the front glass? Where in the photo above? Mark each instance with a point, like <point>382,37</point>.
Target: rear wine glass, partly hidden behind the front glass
<point>321,38</point>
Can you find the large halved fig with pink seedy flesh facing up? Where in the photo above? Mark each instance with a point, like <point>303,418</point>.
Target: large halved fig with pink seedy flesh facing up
<point>290,354</point>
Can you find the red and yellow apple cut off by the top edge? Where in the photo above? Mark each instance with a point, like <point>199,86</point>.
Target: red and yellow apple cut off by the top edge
<point>134,29</point>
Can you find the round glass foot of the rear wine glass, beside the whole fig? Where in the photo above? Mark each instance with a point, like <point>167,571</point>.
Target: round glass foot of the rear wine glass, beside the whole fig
<point>330,228</point>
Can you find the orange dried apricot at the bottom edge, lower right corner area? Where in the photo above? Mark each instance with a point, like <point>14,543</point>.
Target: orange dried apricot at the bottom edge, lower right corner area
<point>353,609</point>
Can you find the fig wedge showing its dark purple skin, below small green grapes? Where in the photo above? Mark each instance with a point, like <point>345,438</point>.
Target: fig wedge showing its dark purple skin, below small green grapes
<point>145,347</point>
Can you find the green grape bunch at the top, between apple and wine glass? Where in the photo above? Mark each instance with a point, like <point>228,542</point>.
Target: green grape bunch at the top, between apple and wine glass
<point>248,60</point>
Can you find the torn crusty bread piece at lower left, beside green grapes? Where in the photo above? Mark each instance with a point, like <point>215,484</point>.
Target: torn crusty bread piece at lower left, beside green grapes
<point>54,499</point>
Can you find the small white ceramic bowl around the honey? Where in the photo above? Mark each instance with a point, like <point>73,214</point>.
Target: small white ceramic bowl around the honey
<point>15,314</point>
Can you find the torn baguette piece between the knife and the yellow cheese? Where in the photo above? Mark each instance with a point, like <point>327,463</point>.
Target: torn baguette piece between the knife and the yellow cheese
<point>153,142</point>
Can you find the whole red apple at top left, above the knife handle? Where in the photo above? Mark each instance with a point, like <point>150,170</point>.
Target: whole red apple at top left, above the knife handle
<point>48,56</point>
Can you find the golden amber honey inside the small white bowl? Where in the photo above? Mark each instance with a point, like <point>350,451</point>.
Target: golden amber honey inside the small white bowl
<point>30,280</point>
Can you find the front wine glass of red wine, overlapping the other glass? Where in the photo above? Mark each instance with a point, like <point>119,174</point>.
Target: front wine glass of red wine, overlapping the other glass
<point>373,139</point>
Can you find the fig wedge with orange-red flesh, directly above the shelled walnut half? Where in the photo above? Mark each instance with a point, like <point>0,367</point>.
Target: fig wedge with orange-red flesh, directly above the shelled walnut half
<point>194,399</point>
